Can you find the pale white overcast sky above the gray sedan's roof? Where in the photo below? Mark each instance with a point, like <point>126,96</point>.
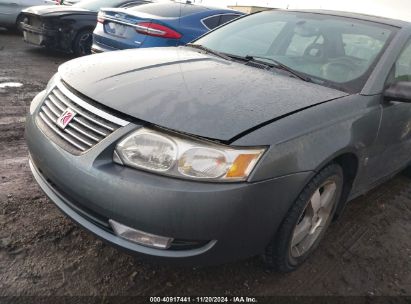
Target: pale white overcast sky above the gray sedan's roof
<point>399,9</point>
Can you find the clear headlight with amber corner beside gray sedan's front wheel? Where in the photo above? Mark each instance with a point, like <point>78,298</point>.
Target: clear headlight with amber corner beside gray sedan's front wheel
<point>185,158</point>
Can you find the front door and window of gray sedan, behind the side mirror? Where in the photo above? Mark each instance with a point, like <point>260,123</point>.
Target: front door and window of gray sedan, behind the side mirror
<point>394,138</point>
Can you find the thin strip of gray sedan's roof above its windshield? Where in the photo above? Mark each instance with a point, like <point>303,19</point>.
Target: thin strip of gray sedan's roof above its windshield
<point>353,15</point>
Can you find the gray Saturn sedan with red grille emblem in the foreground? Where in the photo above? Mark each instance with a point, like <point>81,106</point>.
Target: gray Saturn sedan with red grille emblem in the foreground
<point>248,141</point>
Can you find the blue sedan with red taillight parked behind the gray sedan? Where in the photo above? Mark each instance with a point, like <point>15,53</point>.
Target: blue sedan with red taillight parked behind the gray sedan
<point>155,25</point>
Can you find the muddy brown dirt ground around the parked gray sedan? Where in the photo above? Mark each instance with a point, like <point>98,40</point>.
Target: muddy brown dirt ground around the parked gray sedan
<point>368,252</point>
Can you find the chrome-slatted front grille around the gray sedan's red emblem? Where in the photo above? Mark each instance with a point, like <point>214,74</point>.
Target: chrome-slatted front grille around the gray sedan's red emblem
<point>88,127</point>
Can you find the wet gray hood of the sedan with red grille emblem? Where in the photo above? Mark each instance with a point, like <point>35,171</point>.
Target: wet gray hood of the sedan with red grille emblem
<point>191,92</point>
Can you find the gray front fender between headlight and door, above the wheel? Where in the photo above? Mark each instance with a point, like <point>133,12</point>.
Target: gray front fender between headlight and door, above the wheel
<point>308,140</point>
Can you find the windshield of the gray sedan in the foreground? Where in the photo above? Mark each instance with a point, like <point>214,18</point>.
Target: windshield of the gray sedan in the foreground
<point>334,51</point>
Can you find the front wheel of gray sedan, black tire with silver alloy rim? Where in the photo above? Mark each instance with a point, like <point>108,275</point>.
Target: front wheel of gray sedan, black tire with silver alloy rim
<point>288,249</point>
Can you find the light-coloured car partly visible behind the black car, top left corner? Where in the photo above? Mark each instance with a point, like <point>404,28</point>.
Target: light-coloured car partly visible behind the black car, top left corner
<point>10,11</point>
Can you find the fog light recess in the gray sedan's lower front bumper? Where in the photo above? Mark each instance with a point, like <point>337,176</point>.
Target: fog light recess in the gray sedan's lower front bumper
<point>140,237</point>
